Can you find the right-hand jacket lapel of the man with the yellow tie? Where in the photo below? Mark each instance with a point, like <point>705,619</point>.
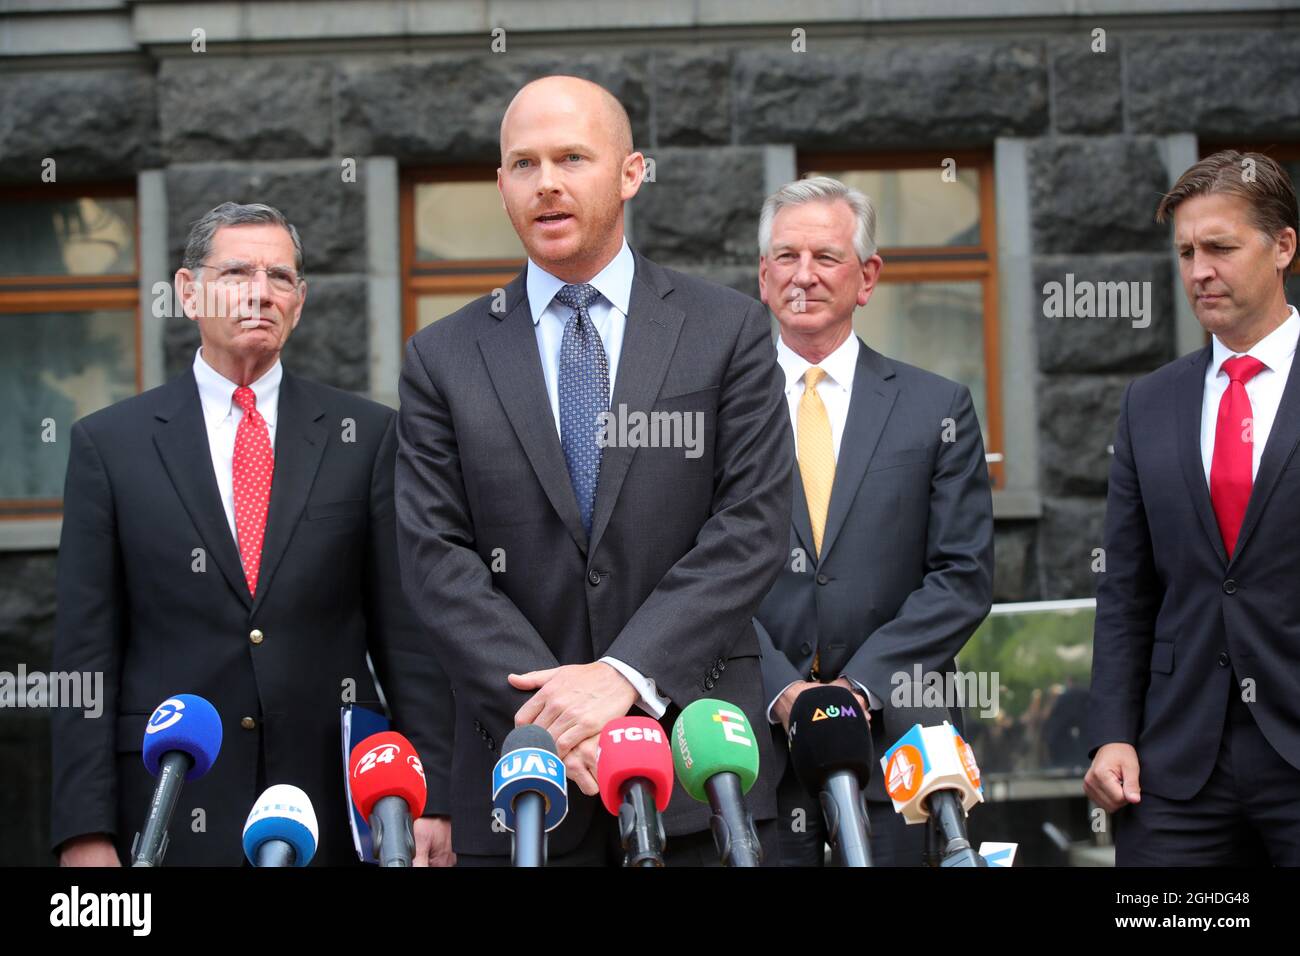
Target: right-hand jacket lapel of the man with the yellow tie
<point>874,395</point>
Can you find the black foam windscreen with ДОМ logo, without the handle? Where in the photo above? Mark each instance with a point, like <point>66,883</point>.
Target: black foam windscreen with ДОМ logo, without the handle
<point>829,733</point>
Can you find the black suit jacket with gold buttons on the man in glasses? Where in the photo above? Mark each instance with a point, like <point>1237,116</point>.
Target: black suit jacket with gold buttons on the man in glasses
<point>153,594</point>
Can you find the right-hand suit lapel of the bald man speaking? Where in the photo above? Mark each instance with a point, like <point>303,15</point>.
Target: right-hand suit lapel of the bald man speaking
<point>648,345</point>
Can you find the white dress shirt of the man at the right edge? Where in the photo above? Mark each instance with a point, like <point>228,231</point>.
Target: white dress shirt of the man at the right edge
<point>1276,352</point>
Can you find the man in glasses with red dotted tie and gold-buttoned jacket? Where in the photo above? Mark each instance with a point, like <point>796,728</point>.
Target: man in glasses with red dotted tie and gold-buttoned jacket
<point>232,535</point>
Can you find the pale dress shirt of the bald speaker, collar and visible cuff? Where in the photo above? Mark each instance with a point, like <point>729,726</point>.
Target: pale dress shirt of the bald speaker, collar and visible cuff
<point>609,314</point>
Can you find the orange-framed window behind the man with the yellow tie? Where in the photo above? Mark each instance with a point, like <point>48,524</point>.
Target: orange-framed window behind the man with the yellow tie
<point>937,302</point>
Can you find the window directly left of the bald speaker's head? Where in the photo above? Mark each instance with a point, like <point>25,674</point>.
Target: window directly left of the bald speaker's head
<point>457,243</point>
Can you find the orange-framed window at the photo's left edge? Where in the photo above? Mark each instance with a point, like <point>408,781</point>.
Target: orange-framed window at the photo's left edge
<point>70,313</point>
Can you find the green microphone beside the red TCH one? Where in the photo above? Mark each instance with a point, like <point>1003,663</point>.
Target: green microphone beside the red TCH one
<point>717,762</point>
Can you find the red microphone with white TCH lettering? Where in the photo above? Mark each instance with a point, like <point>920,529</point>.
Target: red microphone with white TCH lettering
<point>634,769</point>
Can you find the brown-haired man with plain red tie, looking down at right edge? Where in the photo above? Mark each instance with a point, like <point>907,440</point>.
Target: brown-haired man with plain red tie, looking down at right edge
<point>1195,706</point>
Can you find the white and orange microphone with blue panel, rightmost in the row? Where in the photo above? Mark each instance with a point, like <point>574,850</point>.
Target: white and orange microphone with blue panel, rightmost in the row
<point>931,776</point>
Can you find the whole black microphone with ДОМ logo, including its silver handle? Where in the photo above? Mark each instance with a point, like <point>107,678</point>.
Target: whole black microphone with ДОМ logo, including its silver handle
<point>831,754</point>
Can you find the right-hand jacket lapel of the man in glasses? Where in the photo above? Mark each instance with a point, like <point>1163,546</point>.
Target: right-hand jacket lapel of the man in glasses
<point>301,439</point>
